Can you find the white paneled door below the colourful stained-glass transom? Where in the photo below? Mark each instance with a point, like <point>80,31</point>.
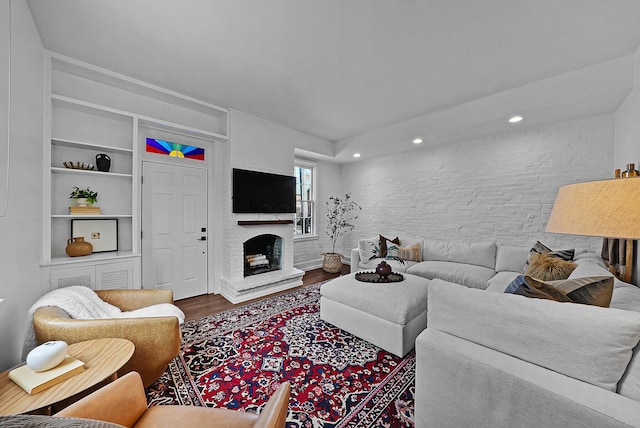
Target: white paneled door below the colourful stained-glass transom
<point>174,229</point>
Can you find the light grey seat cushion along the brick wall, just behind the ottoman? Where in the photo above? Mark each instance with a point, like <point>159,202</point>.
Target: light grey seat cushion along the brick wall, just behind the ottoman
<point>466,274</point>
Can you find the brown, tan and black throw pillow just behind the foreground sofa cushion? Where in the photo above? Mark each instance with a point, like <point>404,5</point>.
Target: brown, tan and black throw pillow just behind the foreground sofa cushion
<point>593,290</point>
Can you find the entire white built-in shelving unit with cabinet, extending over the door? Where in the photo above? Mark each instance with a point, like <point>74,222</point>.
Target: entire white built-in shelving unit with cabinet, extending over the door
<point>90,111</point>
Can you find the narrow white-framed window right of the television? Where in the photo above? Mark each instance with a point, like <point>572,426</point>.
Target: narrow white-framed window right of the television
<point>305,193</point>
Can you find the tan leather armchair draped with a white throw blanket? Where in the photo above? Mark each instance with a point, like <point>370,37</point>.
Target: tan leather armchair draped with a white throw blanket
<point>157,340</point>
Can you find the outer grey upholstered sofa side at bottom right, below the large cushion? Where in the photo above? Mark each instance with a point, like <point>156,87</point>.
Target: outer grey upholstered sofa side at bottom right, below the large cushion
<point>502,391</point>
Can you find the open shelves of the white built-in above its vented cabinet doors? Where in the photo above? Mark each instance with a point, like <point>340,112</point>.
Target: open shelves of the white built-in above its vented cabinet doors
<point>79,131</point>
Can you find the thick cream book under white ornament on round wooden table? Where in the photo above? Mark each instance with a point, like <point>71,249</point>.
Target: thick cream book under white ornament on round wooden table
<point>33,382</point>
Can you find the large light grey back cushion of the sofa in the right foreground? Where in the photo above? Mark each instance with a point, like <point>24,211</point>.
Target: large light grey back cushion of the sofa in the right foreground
<point>588,343</point>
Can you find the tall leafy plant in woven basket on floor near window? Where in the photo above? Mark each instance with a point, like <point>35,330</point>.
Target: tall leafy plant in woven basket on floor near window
<point>340,218</point>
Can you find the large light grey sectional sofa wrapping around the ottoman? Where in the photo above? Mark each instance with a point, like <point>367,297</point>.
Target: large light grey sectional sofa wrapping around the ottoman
<point>491,359</point>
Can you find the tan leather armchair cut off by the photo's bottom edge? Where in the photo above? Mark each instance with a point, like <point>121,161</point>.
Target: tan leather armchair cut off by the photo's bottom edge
<point>124,402</point>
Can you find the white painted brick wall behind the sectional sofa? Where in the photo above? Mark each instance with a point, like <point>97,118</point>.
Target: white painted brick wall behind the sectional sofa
<point>500,188</point>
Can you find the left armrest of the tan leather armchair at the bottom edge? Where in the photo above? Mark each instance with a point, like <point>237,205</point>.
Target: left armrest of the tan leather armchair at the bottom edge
<point>121,402</point>
